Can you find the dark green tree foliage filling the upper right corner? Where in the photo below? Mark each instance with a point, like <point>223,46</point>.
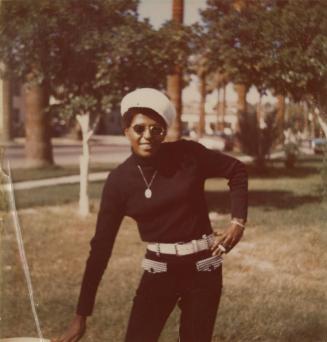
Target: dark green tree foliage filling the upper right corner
<point>273,44</point>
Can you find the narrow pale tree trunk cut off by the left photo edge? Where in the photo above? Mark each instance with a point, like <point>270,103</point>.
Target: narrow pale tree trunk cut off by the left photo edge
<point>5,124</point>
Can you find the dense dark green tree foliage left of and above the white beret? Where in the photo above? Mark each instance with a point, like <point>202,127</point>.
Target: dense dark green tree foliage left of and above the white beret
<point>95,50</point>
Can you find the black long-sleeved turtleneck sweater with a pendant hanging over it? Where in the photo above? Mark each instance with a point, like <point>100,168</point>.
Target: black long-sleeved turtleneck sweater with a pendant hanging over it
<point>177,210</point>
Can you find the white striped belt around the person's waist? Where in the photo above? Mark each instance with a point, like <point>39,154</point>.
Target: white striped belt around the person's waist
<point>183,248</point>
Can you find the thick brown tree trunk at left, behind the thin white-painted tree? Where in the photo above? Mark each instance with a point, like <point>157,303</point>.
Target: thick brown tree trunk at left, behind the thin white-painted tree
<point>38,146</point>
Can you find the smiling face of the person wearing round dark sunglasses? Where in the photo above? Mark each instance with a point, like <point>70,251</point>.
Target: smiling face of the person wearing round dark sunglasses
<point>145,135</point>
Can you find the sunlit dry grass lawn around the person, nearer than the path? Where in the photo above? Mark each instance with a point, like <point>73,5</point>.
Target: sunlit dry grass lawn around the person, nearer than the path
<point>274,280</point>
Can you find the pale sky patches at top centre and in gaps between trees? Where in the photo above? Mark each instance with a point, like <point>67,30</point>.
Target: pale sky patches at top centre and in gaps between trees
<point>159,11</point>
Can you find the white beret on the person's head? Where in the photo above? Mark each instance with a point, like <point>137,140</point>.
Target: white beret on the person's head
<point>149,98</point>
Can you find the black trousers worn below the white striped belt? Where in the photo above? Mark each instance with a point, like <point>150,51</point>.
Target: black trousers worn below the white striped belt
<point>197,294</point>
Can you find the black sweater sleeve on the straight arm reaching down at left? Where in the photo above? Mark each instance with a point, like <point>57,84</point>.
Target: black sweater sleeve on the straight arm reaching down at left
<point>109,219</point>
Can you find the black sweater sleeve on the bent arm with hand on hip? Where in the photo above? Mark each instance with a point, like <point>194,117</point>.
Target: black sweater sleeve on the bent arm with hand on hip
<point>217,164</point>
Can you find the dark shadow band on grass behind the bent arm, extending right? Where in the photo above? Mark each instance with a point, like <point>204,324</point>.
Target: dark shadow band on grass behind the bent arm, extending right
<point>279,199</point>
